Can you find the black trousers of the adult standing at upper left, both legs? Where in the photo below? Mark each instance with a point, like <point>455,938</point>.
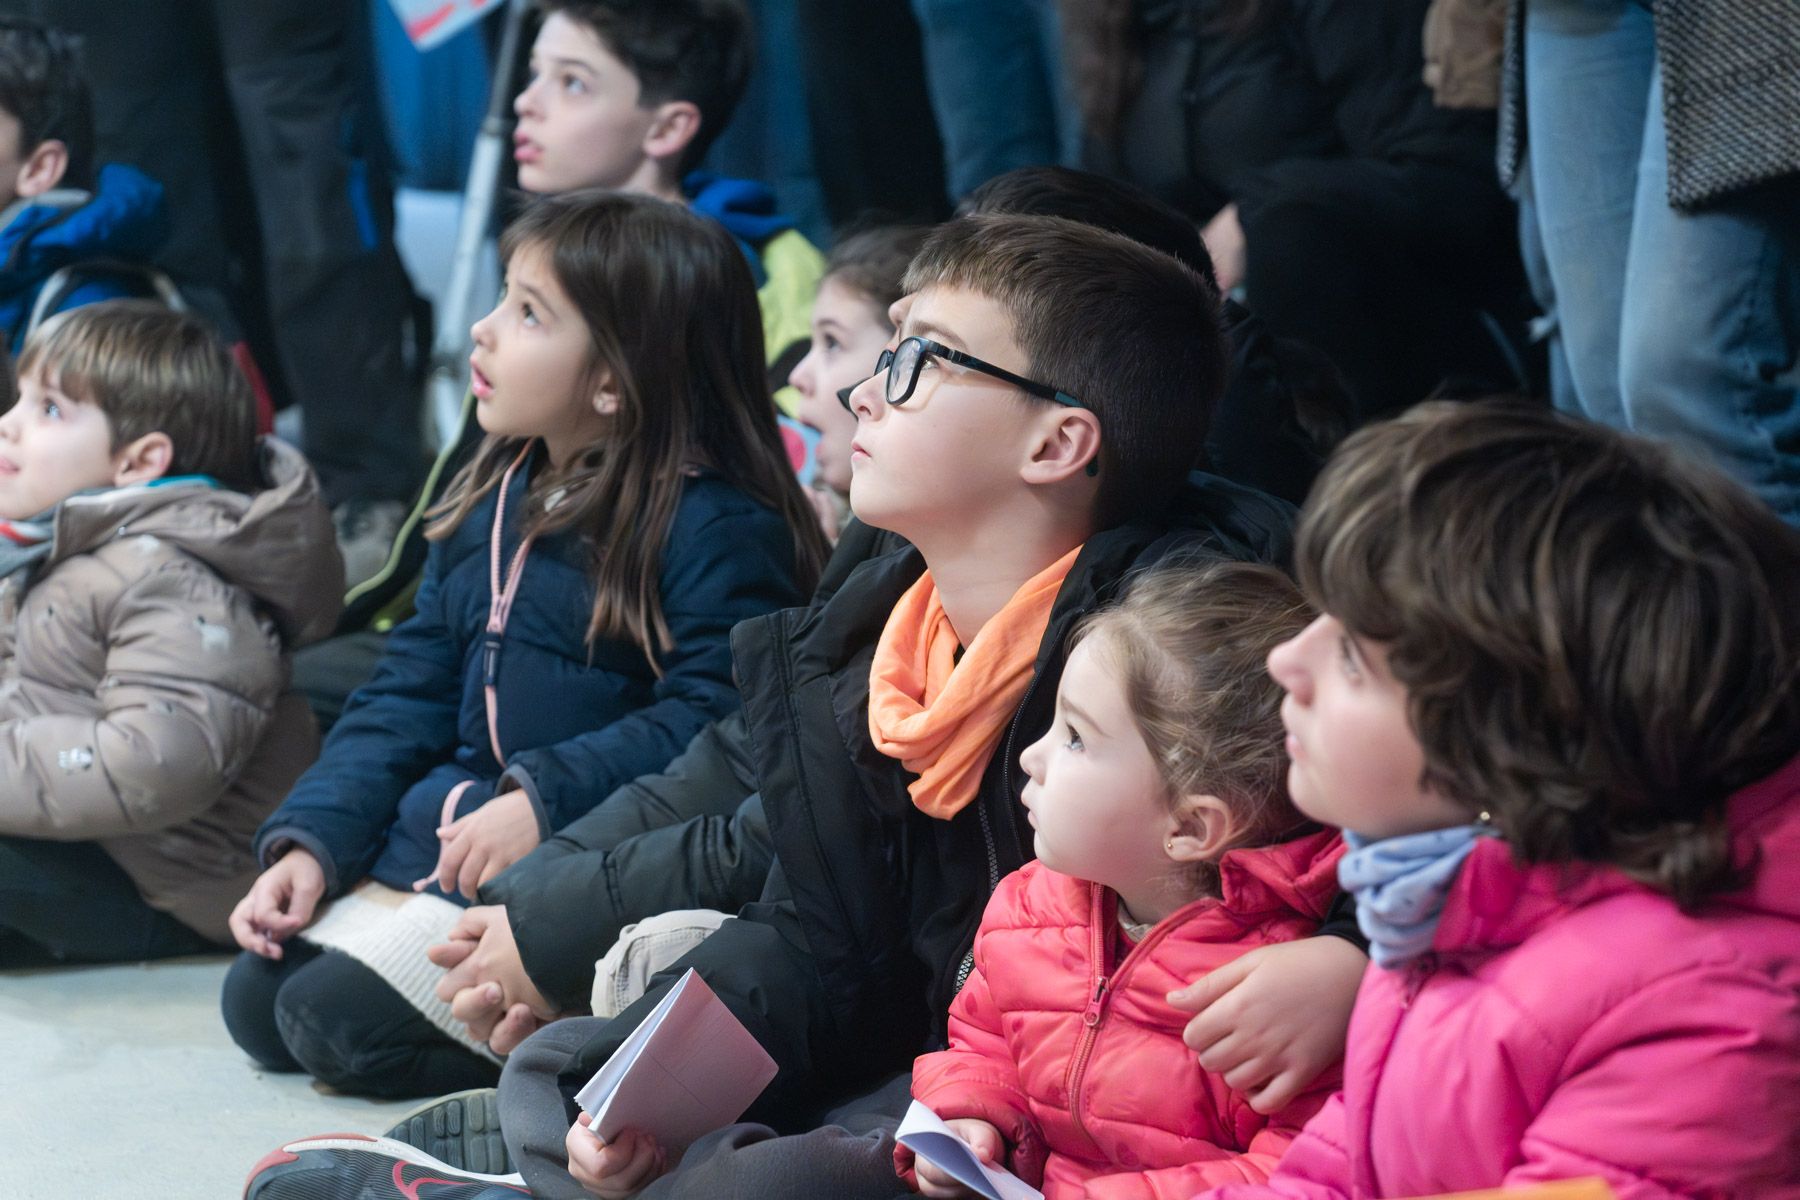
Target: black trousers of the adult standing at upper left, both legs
<point>260,121</point>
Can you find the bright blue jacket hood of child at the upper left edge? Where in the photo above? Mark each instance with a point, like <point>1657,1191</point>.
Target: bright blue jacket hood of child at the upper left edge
<point>123,219</point>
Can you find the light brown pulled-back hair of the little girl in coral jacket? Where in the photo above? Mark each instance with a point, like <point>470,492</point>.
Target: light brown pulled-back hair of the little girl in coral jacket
<point>1189,645</point>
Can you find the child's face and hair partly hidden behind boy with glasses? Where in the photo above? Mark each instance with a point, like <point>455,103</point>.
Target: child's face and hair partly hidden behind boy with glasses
<point>850,327</point>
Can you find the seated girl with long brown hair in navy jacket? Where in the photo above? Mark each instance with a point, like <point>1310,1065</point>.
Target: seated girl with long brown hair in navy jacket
<point>629,506</point>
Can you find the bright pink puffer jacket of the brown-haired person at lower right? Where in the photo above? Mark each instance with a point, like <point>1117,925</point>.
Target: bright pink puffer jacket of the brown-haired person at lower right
<point>1572,1023</point>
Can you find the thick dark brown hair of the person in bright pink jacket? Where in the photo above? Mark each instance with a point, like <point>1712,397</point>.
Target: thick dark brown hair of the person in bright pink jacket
<point>1597,636</point>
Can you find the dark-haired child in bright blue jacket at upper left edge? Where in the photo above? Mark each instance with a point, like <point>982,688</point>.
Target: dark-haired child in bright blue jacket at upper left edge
<point>49,222</point>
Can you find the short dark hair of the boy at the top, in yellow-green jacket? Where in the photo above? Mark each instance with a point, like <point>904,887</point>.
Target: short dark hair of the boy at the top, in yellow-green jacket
<point>697,51</point>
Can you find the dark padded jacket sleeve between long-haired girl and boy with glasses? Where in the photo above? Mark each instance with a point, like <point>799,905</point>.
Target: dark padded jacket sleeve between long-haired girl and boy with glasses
<point>690,837</point>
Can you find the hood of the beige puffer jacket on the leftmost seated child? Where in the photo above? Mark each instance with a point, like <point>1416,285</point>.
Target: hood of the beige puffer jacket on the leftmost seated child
<point>278,544</point>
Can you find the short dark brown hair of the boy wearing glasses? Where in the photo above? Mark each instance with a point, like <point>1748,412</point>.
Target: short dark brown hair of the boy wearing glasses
<point>1124,328</point>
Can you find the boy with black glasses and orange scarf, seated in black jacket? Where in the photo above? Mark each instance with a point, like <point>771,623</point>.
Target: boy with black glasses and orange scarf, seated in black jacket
<point>1030,438</point>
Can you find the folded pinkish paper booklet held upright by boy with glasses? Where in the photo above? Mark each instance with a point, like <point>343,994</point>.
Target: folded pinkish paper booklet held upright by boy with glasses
<point>690,1070</point>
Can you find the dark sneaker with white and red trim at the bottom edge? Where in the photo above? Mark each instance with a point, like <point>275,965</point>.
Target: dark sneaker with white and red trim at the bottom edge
<point>354,1167</point>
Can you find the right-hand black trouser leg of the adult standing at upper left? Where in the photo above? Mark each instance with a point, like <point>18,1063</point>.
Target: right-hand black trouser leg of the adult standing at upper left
<point>339,298</point>
